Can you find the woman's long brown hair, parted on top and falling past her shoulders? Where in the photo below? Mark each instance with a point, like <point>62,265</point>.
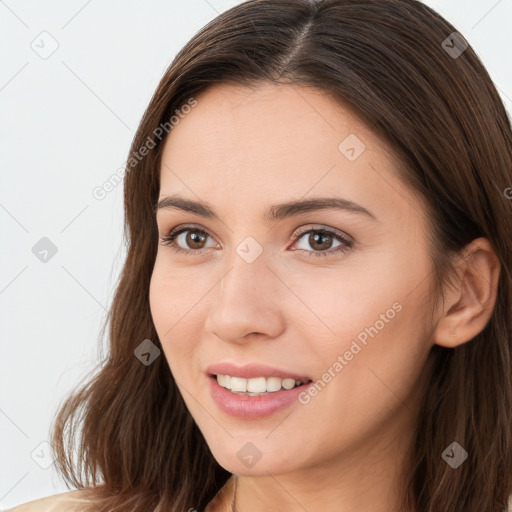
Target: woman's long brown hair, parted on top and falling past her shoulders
<point>400,68</point>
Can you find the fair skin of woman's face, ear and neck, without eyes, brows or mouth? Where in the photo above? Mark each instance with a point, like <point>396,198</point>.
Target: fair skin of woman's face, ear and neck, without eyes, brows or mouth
<point>241,150</point>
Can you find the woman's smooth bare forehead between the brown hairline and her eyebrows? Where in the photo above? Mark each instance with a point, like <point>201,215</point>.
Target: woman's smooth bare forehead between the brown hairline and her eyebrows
<point>279,142</point>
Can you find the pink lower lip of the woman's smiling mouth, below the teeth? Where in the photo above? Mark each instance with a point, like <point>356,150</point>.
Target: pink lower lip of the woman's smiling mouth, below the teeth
<point>245,406</point>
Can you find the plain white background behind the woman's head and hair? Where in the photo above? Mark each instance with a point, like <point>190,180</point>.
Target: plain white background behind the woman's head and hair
<point>66,126</point>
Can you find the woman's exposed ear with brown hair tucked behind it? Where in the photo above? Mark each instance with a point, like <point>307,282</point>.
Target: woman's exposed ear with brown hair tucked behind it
<point>469,305</point>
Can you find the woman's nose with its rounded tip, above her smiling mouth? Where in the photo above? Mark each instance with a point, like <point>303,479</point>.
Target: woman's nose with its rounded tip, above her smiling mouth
<point>248,300</point>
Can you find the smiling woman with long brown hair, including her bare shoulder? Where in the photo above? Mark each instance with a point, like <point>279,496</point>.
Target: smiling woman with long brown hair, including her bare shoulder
<point>315,309</point>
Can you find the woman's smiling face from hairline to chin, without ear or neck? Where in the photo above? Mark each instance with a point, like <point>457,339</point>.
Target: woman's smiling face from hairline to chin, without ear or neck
<point>346,309</point>
